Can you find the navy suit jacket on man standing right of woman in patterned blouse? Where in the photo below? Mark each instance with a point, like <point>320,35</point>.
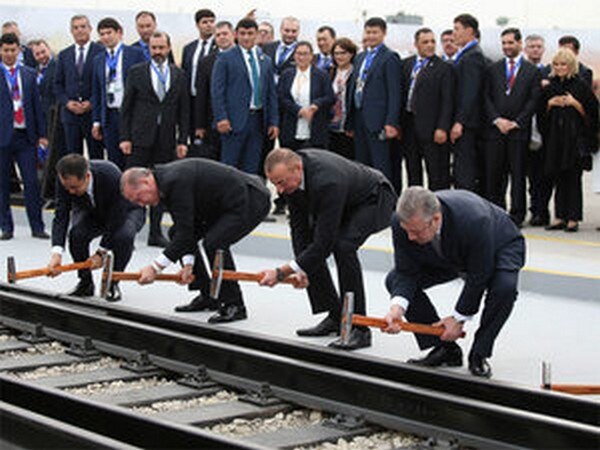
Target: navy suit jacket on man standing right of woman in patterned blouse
<point>382,97</point>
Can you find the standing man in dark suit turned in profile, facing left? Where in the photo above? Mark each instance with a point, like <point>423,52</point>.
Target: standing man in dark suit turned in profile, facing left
<point>469,66</point>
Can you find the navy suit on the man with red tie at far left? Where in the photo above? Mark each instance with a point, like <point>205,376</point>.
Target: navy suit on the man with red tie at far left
<point>21,145</point>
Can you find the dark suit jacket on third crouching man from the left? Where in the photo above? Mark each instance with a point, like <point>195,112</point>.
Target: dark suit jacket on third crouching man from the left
<point>333,188</point>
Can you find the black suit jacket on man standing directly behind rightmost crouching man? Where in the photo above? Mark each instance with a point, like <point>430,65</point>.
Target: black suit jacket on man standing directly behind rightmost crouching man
<point>433,96</point>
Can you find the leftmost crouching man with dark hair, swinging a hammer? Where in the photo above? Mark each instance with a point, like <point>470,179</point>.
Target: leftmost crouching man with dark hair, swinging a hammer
<point>91,192</point>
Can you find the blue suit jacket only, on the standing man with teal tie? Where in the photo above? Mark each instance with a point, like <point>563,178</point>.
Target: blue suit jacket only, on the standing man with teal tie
<point>231,89</point>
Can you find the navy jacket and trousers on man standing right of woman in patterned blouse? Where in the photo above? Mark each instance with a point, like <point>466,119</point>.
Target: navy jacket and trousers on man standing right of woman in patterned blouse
<point>381,102</point>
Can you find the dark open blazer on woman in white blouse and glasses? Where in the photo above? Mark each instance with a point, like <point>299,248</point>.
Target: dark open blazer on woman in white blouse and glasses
<point>321,95</point>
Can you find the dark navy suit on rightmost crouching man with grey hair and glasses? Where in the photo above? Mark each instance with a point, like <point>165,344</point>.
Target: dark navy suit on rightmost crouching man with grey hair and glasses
<point>478,241</point>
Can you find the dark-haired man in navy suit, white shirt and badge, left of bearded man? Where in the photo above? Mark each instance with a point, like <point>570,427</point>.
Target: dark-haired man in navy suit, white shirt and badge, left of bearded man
<point>110,72</point>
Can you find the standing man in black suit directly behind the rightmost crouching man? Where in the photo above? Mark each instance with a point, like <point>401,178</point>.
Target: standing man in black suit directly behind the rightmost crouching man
<point>428,88</point>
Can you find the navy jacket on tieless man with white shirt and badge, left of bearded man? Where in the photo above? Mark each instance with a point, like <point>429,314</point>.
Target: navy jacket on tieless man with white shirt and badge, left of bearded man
<point>130,57</point>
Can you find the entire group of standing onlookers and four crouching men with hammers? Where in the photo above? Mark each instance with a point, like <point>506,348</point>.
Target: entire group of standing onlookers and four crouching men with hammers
<point>241,105</point>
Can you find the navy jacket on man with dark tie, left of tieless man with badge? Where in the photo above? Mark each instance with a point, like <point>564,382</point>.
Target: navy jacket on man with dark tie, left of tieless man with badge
<point>68,85</point>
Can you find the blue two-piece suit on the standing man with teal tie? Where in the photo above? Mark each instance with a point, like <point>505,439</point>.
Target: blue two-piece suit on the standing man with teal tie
<point>231,93</point>
